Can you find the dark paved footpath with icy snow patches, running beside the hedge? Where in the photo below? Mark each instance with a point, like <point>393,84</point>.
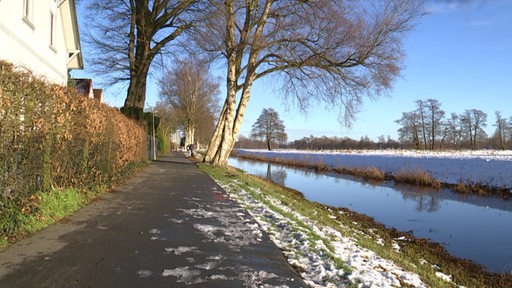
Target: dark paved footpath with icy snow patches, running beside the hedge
<point>169,226</point>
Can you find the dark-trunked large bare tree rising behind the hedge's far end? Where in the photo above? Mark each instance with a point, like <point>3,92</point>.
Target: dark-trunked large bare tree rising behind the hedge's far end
<point>127,35</point>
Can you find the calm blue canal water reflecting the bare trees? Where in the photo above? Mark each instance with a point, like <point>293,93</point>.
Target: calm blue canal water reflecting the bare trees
<point>468,226</point>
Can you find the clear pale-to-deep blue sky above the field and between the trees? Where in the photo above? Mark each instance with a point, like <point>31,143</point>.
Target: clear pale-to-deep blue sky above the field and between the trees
<point>460,54</point>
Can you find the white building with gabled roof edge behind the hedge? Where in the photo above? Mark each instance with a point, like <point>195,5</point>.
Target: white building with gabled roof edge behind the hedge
<point>41,36</point>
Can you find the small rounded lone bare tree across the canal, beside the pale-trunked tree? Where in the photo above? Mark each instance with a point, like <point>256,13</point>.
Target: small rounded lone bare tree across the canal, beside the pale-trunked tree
<point>269,127</point>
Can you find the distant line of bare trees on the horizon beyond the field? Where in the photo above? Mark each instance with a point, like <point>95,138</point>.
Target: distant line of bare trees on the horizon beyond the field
<point>425,128</point>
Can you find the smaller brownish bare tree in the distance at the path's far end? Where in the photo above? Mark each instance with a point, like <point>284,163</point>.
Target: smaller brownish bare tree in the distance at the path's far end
<point>192,91</point>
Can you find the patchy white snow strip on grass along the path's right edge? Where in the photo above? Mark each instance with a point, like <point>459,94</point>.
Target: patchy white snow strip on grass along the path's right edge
<point>302,249</point>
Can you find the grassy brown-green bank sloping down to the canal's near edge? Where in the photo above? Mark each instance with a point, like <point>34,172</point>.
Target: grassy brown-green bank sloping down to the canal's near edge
<point>417,255</point>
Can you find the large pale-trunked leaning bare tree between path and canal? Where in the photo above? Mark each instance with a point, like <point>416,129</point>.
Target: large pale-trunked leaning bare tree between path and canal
<point>332,51</point>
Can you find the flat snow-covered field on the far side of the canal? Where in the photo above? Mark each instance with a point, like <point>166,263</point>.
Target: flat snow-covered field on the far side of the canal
<point>486,167</point>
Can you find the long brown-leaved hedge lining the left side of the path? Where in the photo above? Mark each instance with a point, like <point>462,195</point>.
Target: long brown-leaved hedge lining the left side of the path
<point>53,138</point>
